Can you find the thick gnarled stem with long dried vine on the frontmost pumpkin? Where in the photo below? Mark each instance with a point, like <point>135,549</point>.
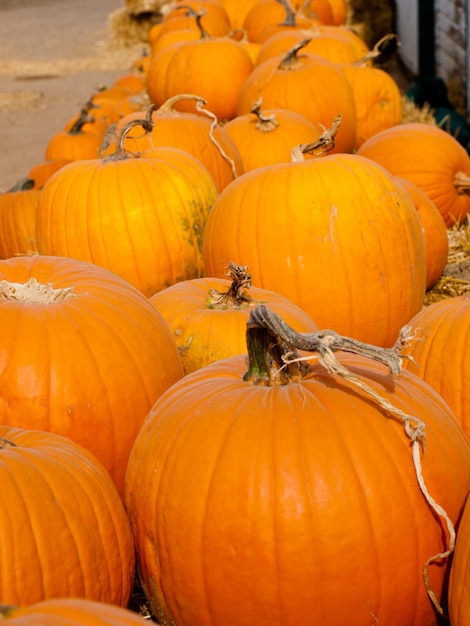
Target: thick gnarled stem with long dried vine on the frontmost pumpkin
<point>271,342</point>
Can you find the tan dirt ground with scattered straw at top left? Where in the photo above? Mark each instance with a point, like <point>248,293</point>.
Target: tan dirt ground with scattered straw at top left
<point>53,56</point>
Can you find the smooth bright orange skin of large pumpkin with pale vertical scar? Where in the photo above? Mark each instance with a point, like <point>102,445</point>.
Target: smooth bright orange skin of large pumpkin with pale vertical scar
<point>336,235</point>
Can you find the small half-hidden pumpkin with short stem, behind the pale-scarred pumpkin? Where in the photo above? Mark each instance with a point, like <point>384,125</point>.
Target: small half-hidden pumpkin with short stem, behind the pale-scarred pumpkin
<point>268,136</point>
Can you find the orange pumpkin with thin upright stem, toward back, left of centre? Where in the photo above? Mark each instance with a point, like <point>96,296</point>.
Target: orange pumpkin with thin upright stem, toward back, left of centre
<point>213,67</point>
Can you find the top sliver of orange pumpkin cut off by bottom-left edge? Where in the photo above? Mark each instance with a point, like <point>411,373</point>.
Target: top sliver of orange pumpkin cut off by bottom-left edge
<point>73,612</point>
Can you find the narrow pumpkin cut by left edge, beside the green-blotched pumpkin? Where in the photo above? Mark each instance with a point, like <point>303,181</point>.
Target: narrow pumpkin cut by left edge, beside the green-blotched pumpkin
<point>18,208</point>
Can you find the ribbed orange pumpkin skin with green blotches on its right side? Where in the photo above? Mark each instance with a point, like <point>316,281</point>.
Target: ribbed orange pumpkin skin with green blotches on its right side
<point>142,218</point>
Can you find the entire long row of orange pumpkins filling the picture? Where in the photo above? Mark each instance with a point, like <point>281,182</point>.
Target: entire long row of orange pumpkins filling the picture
<point>161,415</point>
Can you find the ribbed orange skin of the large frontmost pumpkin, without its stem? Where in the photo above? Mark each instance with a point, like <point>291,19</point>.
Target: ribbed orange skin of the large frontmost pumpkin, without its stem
<point>293,504</point>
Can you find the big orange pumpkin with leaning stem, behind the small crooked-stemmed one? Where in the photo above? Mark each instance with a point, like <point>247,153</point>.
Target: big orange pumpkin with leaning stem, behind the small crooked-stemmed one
<point>307,84</point>
